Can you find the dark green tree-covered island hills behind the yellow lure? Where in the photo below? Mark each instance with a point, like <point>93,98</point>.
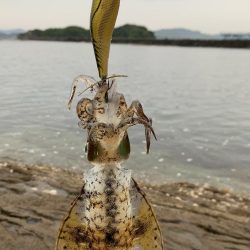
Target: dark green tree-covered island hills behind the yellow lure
<point>74,33</point>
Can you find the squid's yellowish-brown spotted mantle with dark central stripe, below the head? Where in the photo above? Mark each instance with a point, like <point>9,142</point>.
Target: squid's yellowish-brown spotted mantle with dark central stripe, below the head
<point>110,213</point>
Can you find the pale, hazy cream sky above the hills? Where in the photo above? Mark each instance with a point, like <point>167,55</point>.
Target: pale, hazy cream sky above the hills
<point>208,16</point>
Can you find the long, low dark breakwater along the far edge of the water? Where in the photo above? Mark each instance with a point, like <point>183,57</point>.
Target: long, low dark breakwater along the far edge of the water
<point>244,44</point>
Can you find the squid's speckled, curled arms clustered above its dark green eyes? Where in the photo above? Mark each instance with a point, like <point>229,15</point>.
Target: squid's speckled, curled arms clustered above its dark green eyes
<point>107,117</point>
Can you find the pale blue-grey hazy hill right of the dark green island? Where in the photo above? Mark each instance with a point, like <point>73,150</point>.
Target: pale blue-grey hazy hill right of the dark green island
<point>180,34</point>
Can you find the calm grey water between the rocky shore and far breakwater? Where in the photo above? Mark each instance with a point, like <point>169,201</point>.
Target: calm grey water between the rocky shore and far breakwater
<point>199,100</point>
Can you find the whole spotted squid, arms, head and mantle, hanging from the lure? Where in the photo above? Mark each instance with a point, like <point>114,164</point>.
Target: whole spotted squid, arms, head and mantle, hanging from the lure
<point>111,211</point>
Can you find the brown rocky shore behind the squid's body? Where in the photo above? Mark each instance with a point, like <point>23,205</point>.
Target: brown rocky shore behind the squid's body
<point>34,200</point>
